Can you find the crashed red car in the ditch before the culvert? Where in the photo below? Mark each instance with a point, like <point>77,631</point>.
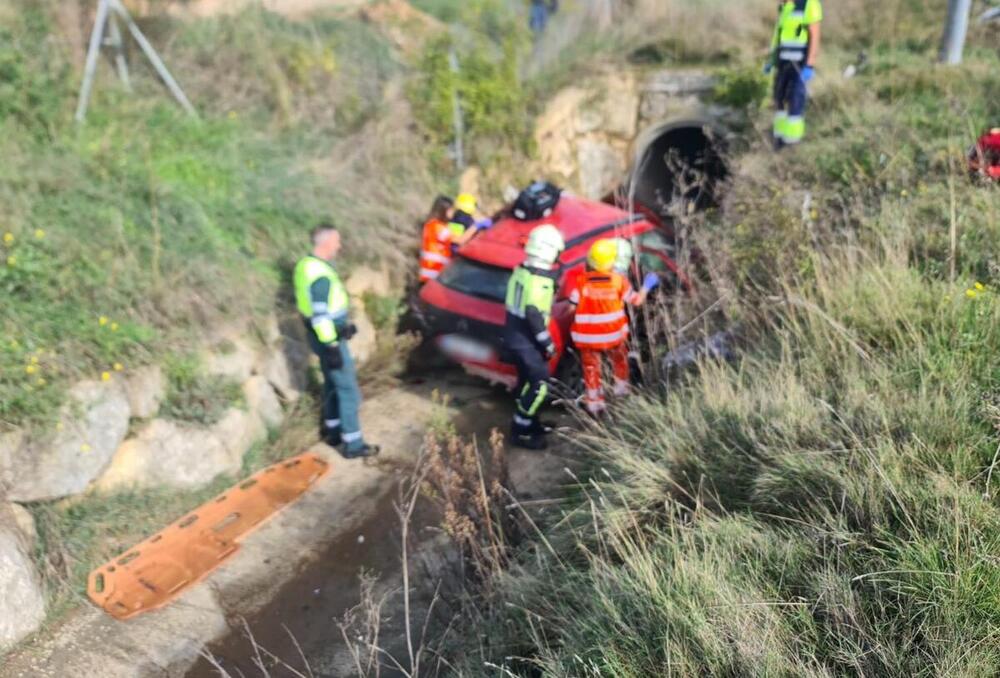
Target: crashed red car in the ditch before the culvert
<point>463,310</point>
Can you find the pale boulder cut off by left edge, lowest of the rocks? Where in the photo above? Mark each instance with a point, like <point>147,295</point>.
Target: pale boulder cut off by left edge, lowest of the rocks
<point>22,605</point>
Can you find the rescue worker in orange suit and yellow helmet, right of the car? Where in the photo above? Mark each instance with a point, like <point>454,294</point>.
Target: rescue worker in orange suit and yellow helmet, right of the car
<point>600,324</point>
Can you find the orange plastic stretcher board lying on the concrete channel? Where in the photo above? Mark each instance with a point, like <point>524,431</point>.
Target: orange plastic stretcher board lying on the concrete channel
<point>155,571</point>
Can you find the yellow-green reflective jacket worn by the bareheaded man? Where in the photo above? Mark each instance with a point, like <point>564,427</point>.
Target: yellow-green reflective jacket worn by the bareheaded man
<point>321,297</point>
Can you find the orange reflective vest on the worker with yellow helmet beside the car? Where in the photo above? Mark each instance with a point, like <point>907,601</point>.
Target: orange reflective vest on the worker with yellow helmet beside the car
<point>600,321</point>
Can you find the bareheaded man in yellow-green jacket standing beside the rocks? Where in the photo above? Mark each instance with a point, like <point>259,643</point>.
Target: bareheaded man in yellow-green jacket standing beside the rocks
<point>323,302</point>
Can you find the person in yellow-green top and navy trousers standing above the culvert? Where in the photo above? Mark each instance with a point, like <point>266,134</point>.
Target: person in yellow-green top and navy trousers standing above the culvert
<point>794,49</point>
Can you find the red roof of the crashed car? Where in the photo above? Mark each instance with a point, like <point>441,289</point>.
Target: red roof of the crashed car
<point>579,220</point>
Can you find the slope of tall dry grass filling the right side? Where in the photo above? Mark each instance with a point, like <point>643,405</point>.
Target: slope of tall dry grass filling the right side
<point>827,504</point>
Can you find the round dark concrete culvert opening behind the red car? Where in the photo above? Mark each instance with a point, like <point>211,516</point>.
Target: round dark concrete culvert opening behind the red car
<point>679,162</point>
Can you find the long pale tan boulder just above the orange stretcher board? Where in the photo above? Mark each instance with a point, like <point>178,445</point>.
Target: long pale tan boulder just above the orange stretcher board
<point>183,456</point>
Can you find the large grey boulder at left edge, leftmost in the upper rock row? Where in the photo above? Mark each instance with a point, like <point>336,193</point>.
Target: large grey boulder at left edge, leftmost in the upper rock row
<point>91,427</point>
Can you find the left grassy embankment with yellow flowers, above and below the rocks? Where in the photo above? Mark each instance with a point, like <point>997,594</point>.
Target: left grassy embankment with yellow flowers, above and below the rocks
<point>130,235</point>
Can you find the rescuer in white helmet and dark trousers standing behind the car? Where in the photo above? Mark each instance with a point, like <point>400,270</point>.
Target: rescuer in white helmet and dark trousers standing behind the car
<point>530,293</point>
